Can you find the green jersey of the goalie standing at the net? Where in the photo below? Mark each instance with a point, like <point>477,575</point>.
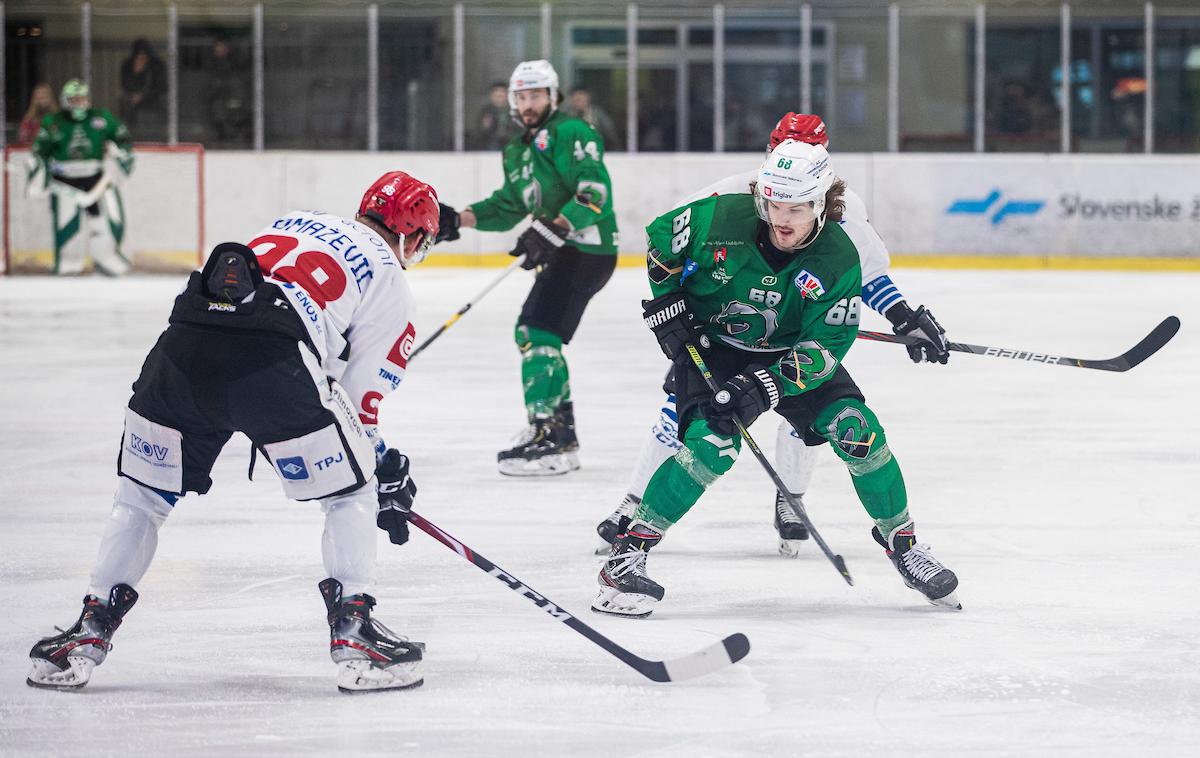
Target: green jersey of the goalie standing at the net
<point>75,148</point>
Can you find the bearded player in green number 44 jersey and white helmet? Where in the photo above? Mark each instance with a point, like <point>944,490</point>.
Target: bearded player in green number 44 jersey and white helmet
<point>554,172</point>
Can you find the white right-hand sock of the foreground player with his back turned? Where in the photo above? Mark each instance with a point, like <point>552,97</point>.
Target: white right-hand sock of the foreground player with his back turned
<point>349,545</point>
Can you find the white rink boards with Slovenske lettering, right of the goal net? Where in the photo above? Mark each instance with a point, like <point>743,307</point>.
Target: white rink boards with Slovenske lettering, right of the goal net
<point>1073,206</point>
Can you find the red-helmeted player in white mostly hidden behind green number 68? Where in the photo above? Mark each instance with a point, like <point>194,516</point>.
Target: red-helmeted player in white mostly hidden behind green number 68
<point>796,450</point>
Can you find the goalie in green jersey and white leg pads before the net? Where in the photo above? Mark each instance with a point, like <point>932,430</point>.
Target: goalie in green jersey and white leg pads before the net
<point>70,165</point>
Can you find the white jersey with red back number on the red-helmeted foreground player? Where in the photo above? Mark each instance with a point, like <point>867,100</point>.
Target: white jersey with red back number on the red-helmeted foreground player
<point>351,293</point>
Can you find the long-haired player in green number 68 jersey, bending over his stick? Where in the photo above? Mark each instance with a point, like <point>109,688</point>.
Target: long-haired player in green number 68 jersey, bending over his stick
<point>770,292</point>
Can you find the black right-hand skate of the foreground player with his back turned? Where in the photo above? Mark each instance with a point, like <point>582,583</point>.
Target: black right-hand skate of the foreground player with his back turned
<point>369,655</point>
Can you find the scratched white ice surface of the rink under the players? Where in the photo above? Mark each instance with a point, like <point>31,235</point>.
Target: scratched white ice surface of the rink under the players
<point>1065,500</point>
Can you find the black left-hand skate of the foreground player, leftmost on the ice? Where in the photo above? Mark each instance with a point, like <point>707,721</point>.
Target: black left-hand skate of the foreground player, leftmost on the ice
<point>65,661</point>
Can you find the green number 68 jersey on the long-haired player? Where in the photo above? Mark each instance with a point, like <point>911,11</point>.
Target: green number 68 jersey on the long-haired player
<point>754,298</point>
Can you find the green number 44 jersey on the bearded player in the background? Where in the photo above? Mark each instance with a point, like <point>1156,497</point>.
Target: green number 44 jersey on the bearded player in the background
<point>560,172</point>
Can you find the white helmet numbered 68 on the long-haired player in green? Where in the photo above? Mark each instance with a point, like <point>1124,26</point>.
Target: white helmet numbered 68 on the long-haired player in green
<point>795,175</point>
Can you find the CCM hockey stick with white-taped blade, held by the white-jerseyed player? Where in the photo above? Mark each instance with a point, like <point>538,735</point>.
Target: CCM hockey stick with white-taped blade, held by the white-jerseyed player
<point>718,655</point>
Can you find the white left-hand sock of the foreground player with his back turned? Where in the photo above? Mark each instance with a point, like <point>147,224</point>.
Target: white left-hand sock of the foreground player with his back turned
<point>130,538</point>
